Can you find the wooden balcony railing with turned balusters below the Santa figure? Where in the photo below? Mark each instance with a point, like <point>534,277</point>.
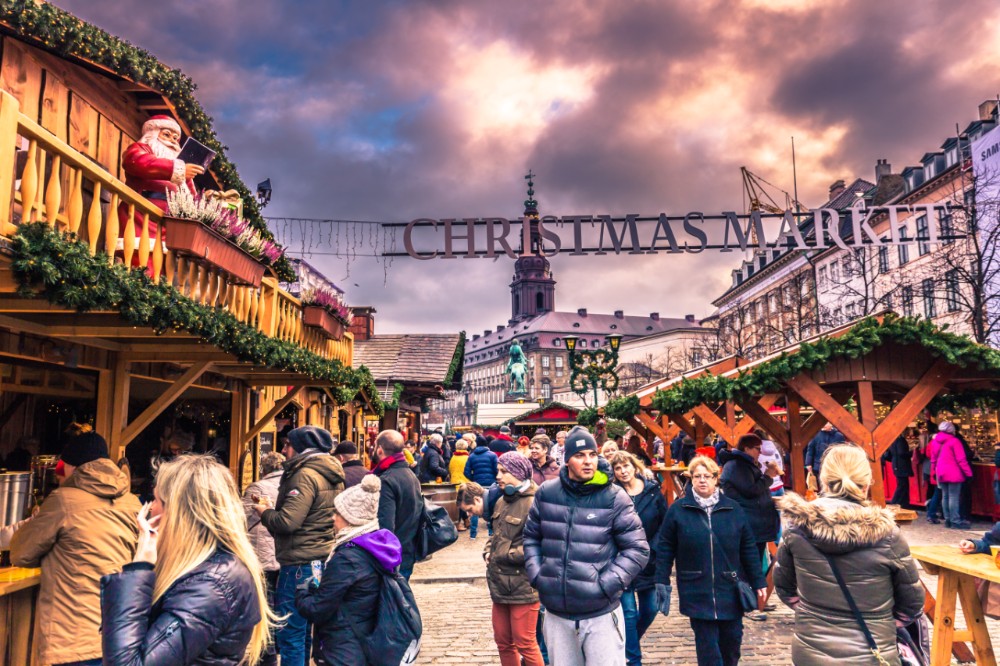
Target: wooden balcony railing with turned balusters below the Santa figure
<point>64,188</point>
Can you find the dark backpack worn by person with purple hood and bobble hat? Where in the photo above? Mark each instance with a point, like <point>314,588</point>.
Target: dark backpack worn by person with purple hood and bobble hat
<point>395,639</point>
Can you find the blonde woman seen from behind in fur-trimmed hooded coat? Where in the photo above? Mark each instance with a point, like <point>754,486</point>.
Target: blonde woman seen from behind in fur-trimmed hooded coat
<point>871,555</point>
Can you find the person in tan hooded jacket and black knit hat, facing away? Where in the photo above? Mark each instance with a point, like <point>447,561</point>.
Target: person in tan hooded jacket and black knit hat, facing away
<point>85,529</point>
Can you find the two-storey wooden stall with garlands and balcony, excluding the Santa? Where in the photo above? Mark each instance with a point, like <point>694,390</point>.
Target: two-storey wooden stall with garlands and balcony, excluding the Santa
<point>180,337</point>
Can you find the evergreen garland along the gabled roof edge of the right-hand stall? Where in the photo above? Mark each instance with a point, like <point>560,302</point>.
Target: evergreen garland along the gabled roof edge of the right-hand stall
<point>865,336</point>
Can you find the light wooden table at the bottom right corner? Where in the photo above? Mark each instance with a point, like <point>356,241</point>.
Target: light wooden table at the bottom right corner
<point>957,573</point>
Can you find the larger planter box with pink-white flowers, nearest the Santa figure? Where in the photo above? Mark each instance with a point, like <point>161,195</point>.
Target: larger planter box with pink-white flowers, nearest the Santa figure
<point>211,234</point>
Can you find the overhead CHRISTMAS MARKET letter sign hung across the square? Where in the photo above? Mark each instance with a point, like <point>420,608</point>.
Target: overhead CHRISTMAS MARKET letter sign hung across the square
<point>491,237</point>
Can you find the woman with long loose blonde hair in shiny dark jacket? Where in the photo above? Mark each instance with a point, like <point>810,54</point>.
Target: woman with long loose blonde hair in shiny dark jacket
<point>194,593</point>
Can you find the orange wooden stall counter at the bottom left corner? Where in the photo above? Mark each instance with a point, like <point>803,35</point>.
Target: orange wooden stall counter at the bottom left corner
<point>18,594</point>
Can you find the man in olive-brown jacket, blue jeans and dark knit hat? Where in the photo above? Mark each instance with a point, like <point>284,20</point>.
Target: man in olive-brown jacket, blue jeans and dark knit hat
<point>302,524</point>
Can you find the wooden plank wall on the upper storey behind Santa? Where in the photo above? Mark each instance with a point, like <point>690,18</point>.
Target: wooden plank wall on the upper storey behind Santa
<point>83,108</point>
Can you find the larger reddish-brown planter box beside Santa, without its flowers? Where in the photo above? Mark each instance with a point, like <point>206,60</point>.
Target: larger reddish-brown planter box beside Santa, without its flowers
<point>194,240</point>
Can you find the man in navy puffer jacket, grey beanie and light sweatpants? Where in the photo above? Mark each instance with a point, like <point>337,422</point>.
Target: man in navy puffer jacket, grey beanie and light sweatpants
<point>583,545</point>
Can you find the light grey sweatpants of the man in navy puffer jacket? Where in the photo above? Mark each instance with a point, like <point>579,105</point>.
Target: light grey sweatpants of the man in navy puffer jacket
<point>599,641</point>
